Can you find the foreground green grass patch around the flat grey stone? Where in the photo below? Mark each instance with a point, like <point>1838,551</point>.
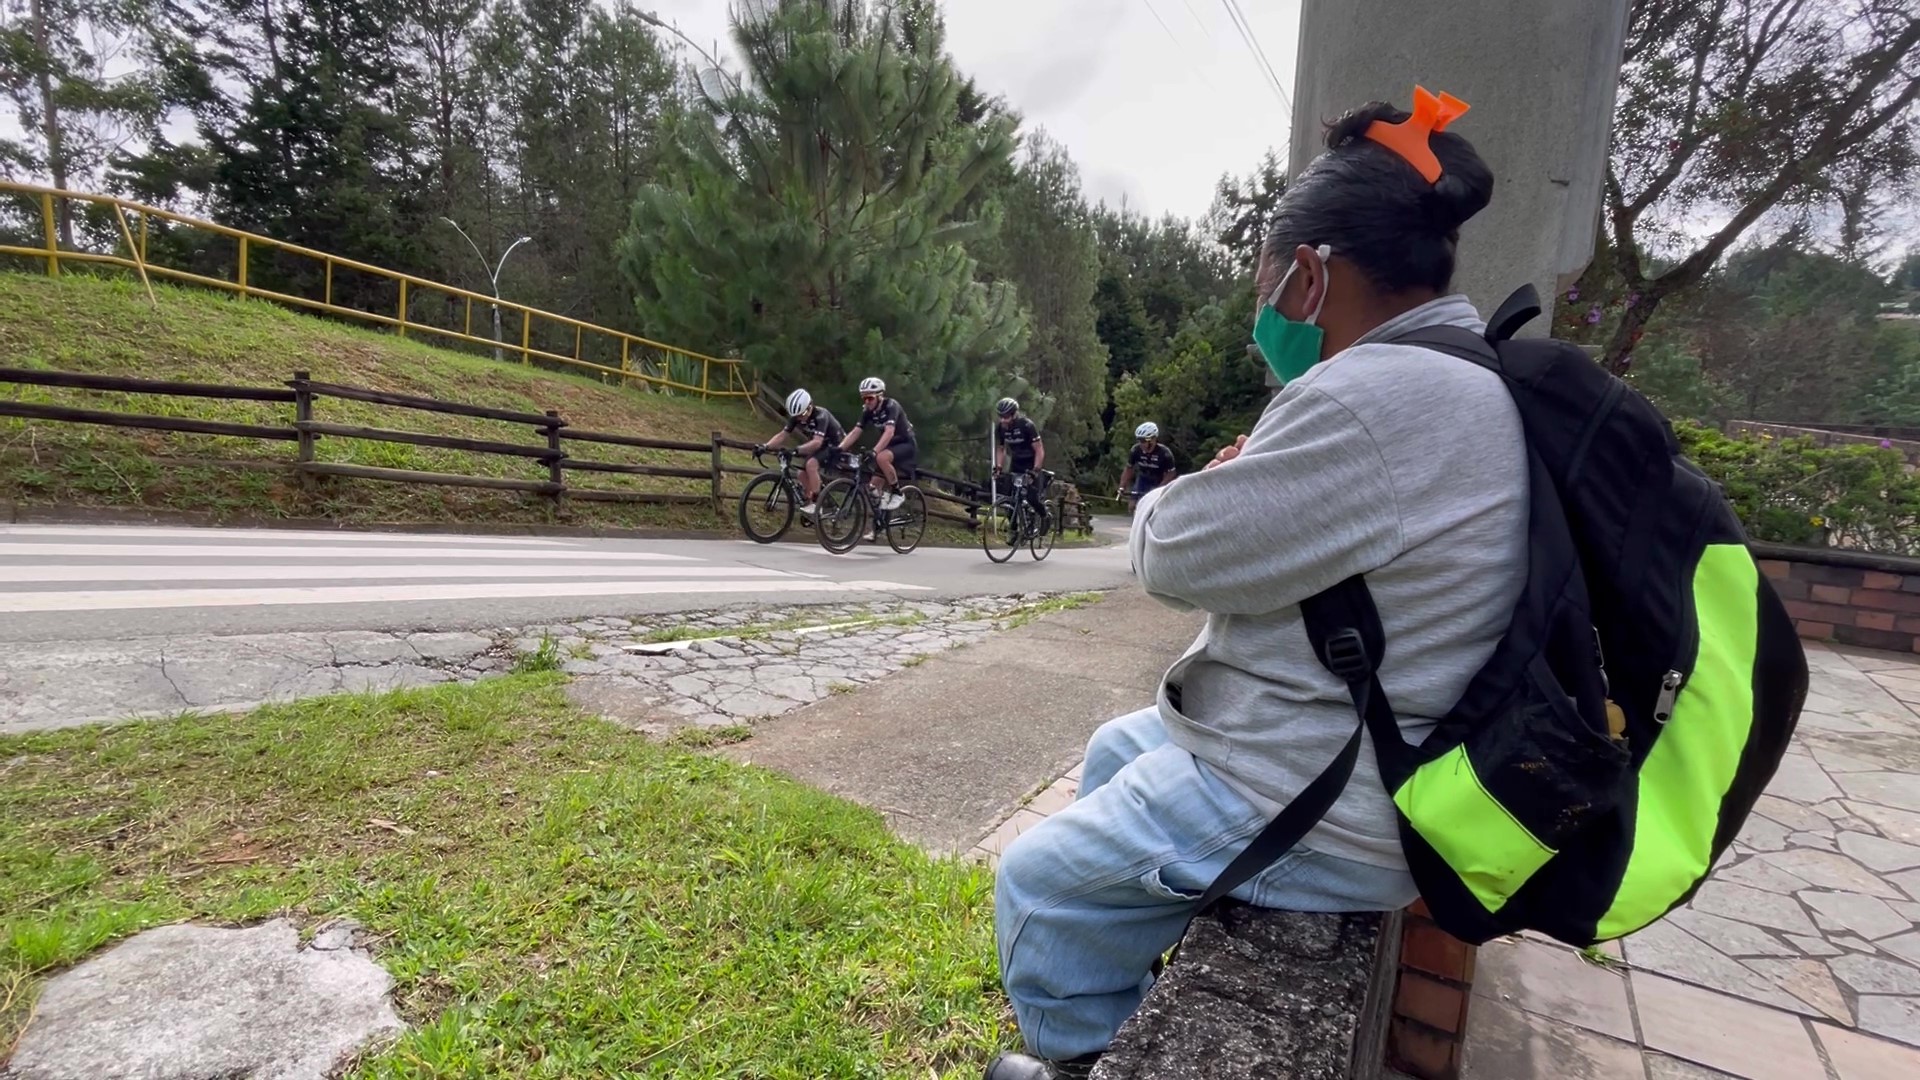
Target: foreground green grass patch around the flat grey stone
<point>560,898</point>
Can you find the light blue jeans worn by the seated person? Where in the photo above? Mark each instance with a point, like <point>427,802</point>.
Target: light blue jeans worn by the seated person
<point>1088,900</point>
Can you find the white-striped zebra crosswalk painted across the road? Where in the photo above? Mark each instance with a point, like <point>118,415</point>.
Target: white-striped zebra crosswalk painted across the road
<point>51,570</point>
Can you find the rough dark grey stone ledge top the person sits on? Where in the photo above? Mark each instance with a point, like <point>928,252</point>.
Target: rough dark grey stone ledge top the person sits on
<point>1262,994</point>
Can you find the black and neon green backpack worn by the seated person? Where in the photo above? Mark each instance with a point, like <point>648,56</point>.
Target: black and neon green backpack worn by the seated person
<point>1637,708</point>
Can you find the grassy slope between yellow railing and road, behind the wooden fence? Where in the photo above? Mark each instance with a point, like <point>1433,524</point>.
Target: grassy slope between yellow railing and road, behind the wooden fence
<point>101,326</point>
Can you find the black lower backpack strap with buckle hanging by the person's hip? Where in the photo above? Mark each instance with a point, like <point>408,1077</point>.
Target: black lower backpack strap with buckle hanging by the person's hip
<point>1349,641</point>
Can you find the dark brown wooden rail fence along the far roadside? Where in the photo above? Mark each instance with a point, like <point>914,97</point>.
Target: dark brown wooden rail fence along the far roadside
<point>554,445</point>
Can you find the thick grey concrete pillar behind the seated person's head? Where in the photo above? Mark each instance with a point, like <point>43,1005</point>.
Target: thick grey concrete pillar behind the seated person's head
<point>1541,78</point>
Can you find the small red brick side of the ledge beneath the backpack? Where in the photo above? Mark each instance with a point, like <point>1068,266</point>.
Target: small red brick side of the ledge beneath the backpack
<point>1431,998</point>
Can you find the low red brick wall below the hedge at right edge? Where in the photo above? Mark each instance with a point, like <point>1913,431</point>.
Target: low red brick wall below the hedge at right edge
<point>1848,597</point>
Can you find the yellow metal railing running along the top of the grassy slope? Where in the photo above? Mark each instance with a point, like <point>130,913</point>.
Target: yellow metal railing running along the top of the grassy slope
<point>642,360</point>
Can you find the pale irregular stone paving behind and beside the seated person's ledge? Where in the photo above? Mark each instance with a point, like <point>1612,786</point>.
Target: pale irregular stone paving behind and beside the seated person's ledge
<point>1800,960</point>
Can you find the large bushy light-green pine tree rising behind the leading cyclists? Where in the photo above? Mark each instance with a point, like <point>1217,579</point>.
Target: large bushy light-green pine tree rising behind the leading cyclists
<point>815,222</point>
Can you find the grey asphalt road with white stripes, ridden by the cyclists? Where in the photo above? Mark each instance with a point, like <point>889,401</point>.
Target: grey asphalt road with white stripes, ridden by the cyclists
<point>107,583</point>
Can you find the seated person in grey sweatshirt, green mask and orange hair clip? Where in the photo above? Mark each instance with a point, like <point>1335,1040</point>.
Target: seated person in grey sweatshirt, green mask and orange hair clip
<point>1378,458</point>
